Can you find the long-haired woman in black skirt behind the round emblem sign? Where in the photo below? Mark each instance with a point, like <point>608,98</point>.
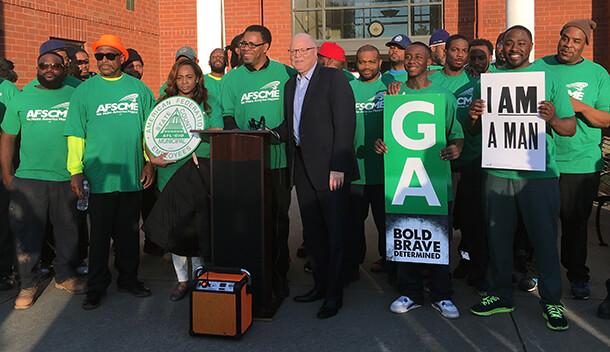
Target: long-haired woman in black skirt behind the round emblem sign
<point>179,221</point>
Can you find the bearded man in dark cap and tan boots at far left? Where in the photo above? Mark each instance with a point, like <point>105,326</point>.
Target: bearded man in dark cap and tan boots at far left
<point>41,185</point>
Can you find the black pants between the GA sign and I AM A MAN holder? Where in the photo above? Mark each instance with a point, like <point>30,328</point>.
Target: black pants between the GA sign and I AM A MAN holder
<point>469,214</point>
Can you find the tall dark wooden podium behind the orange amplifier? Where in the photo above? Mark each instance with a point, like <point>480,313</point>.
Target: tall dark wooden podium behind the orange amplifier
<point>240,203</point>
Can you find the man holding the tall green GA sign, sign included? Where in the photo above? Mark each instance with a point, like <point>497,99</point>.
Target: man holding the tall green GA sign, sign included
<point>411,244</point>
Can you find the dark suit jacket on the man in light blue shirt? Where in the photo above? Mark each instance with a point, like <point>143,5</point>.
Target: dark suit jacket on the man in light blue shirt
<point>328,123</point>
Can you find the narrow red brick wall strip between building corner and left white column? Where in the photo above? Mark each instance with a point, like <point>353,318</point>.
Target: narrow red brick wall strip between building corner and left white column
<point>177,28</point>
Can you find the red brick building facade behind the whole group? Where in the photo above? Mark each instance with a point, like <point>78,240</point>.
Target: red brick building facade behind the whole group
<point>156,28</point>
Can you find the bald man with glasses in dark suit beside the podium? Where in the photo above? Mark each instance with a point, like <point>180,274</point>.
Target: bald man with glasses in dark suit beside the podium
<point>319,131</point>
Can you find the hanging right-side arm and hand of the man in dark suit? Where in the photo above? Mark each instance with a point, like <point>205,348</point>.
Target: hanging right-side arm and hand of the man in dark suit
<point>343,107</point>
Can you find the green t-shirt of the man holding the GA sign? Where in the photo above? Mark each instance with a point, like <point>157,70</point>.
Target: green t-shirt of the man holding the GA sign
<point>453,129</point>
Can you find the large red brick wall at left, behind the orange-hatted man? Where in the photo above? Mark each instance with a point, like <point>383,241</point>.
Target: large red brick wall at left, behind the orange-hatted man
<point>26,24</point>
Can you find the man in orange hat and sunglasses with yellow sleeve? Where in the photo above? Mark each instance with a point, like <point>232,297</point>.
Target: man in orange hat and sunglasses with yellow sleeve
<point>105,131</point>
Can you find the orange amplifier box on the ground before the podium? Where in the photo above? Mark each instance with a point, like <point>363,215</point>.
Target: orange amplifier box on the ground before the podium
<point>221,302</point>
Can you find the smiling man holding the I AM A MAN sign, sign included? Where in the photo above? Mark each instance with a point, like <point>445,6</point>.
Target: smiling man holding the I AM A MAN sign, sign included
<point>508,191</point>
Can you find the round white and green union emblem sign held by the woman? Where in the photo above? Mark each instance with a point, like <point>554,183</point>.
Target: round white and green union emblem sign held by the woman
<point>168,127</point>
